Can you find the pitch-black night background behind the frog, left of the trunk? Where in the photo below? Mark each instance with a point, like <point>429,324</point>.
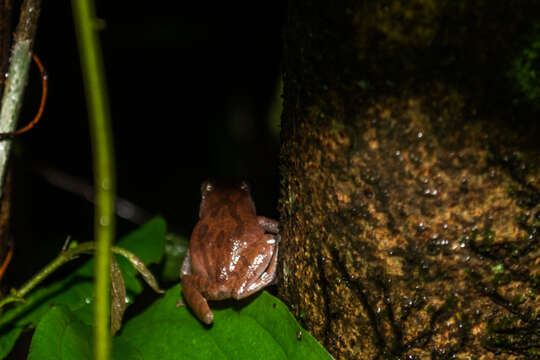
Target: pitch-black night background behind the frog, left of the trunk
<point>190,88</point>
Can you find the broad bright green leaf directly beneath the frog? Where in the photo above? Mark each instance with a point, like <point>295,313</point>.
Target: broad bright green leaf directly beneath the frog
<point>260,327</point>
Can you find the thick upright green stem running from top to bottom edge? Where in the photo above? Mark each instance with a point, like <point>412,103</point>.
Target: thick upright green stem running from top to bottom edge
<point>100,130</point>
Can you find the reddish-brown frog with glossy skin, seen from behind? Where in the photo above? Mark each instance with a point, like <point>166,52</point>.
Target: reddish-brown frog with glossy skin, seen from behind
<point>232,252</point>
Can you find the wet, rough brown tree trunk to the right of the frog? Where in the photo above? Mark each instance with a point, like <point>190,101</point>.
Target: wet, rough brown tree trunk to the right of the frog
<point>411,178</point>
